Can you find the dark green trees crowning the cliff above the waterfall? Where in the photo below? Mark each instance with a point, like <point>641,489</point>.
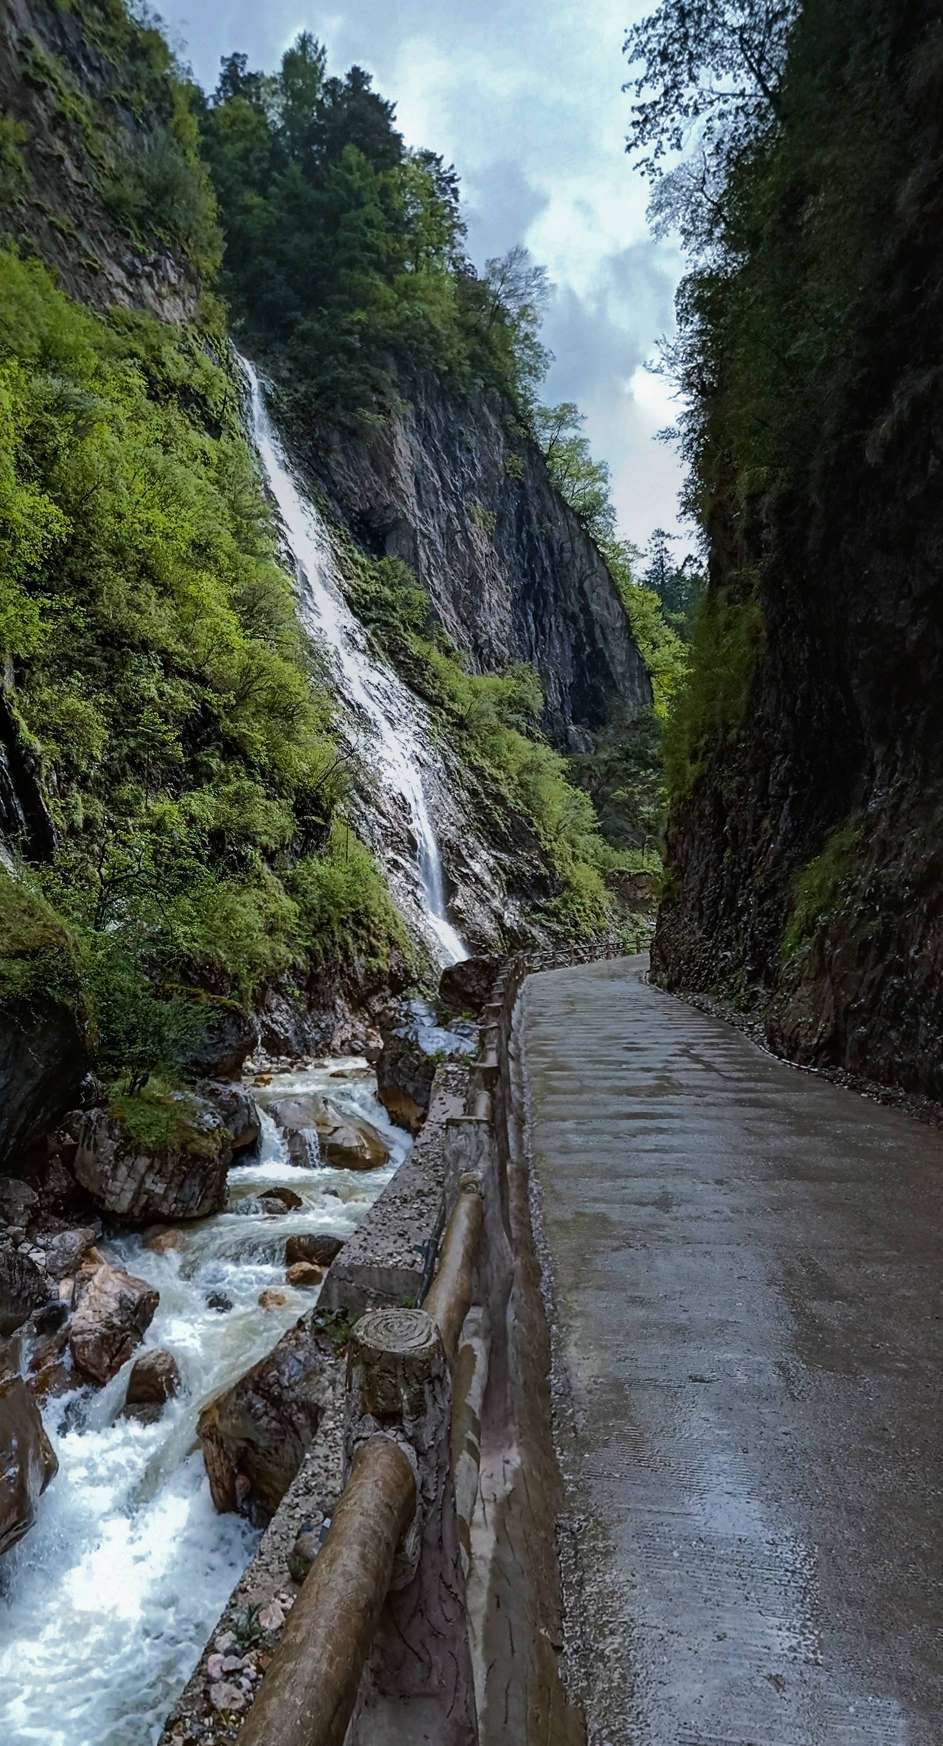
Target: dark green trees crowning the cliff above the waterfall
<point>345,251</point>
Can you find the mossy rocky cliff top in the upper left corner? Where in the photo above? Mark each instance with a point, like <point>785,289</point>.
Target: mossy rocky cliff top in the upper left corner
<point>99,165</point>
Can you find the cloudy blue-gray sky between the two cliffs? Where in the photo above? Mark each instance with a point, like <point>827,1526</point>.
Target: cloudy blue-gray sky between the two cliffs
<point>527,99</point>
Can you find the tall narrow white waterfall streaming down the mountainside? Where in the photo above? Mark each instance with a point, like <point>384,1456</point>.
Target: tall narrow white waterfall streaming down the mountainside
<point>383,705</point>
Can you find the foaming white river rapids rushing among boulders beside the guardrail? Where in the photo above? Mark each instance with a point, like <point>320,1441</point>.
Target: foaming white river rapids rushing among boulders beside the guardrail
<point>109,1600</point>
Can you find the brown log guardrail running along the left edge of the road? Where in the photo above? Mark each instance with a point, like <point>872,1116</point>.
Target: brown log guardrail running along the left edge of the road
<point>376,1649</point>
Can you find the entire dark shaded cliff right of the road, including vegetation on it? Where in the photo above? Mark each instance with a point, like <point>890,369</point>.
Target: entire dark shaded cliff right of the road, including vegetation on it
<point>806,841</point>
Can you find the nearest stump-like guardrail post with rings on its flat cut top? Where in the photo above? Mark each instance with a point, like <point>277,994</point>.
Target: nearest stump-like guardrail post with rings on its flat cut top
<point>418,1684</point>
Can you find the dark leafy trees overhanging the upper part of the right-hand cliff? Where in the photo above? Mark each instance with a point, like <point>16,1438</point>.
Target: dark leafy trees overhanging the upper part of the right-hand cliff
<point>790,203</point>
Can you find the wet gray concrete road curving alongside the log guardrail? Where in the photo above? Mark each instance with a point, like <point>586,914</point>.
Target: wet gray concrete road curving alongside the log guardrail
<point>750,1296</point>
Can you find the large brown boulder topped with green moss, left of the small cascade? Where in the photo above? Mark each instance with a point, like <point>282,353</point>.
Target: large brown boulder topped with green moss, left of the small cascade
<point>181,1176</point>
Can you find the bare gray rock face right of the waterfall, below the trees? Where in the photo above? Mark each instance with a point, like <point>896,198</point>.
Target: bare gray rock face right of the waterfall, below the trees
<point>450,488</point>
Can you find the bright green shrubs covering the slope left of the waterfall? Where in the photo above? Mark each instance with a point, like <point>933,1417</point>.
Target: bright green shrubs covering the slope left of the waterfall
<point>163,687</point>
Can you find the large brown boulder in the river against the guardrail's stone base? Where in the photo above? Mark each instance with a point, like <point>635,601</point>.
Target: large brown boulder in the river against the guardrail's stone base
<point>256,1434</point>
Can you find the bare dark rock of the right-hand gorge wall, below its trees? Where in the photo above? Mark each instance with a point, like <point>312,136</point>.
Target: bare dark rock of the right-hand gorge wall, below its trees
<point>806,842</point>
